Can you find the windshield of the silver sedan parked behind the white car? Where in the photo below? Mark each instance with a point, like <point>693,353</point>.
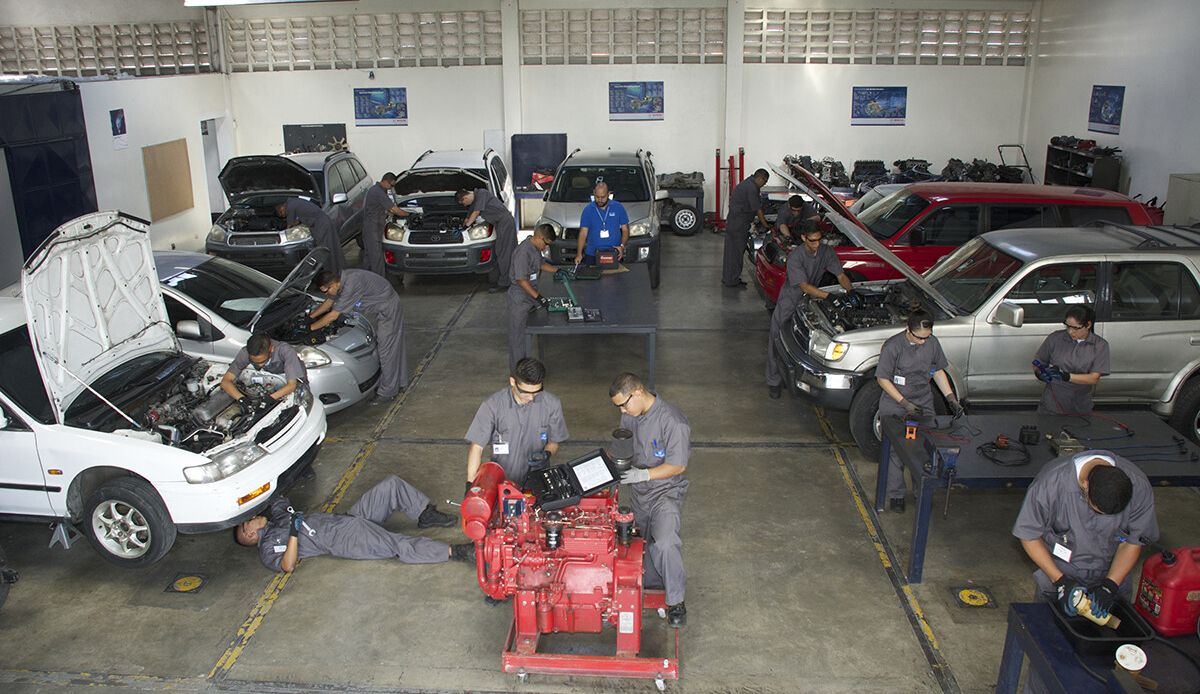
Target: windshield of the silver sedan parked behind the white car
<point>230,290</point>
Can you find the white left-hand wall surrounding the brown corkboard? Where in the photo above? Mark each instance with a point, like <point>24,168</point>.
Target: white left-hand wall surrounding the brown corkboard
<point>157,110</point>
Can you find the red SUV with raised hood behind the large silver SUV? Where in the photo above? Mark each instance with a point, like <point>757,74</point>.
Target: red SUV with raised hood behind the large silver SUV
<point>922,223</point>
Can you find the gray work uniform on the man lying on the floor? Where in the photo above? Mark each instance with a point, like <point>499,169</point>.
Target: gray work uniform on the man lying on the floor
<point>358,535</point>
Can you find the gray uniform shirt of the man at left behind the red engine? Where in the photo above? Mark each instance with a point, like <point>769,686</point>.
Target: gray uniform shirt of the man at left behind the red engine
<point>515,430</point>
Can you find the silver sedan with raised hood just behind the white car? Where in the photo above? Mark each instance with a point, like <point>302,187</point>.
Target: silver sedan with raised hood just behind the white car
<point>215,304</point>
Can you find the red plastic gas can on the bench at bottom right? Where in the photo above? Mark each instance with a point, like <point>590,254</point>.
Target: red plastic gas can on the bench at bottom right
<point>1169,593</point>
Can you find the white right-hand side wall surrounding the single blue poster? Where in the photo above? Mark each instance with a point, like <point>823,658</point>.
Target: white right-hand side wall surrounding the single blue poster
<point>1151,49</point>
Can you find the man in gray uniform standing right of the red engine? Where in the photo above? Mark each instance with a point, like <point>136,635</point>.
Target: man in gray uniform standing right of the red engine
<point>657,484</point>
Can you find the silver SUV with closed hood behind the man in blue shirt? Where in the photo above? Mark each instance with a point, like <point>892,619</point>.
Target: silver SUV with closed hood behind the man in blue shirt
<point>632,182</point>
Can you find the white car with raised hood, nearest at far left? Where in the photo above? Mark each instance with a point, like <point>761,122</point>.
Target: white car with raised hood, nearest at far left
<point>106,424</point>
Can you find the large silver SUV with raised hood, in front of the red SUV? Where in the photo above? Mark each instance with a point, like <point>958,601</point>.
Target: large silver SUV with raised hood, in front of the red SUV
<point>997,298</point>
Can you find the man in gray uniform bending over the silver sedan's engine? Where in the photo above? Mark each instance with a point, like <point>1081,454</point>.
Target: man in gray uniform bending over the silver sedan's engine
<point>371,295</point>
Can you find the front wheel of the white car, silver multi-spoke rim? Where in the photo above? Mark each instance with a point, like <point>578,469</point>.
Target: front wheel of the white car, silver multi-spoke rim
<point>128,523</point>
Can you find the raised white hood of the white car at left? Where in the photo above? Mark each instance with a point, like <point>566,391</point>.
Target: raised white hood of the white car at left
<point>93,302</point>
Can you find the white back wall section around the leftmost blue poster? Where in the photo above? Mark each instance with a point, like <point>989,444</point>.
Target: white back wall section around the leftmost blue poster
<point>448,109</point>
